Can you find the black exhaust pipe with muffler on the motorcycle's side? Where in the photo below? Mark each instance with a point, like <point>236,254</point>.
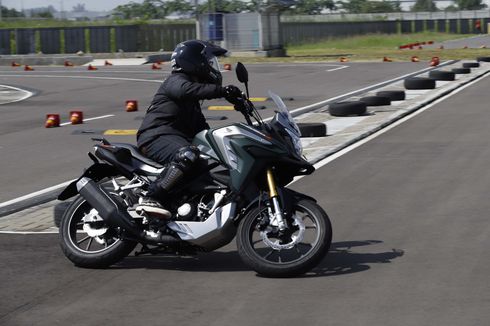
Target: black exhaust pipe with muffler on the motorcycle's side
<point>113,214</point>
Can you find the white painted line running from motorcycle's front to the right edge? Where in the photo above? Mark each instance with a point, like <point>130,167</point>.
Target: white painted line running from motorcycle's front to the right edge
<point>391,126</point>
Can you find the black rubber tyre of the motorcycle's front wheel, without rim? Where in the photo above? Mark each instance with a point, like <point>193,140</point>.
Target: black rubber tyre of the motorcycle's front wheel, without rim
<point>303,264</point>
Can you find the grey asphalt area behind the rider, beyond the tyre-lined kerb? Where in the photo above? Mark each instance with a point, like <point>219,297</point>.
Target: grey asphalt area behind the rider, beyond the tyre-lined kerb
<point>34,158</point>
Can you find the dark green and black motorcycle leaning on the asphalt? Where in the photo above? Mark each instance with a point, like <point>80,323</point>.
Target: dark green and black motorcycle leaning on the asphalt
<point>239,190</point>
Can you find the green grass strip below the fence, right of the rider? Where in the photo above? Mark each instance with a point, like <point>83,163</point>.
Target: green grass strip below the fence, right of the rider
<point>373,48</point>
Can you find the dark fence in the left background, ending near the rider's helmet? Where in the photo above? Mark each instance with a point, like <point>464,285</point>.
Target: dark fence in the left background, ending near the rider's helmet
<point>101,39</point>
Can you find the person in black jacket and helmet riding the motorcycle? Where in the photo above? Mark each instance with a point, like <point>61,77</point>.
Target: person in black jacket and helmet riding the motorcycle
<point>174,117</point>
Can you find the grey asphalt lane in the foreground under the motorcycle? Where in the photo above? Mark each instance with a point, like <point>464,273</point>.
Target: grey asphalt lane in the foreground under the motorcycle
<point>410,217</point>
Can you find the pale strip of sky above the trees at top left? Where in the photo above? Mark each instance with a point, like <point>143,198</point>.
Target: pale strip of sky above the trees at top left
<point>92,5</point>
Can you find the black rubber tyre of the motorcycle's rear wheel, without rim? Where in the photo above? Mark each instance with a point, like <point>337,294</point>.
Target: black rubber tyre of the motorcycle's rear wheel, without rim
<point>101,259</point>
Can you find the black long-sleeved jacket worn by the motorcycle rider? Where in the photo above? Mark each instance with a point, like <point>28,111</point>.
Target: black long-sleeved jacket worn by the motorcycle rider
<point>175,109</point>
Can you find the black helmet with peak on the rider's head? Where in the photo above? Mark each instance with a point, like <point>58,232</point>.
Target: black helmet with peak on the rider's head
<point>198,58</point>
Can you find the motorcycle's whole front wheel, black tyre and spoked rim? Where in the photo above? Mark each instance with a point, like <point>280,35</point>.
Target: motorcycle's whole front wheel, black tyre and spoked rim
<point>287,253</point>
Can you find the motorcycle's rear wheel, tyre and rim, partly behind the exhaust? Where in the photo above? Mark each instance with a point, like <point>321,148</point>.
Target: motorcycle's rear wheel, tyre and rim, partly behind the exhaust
<point>87,244</point>
